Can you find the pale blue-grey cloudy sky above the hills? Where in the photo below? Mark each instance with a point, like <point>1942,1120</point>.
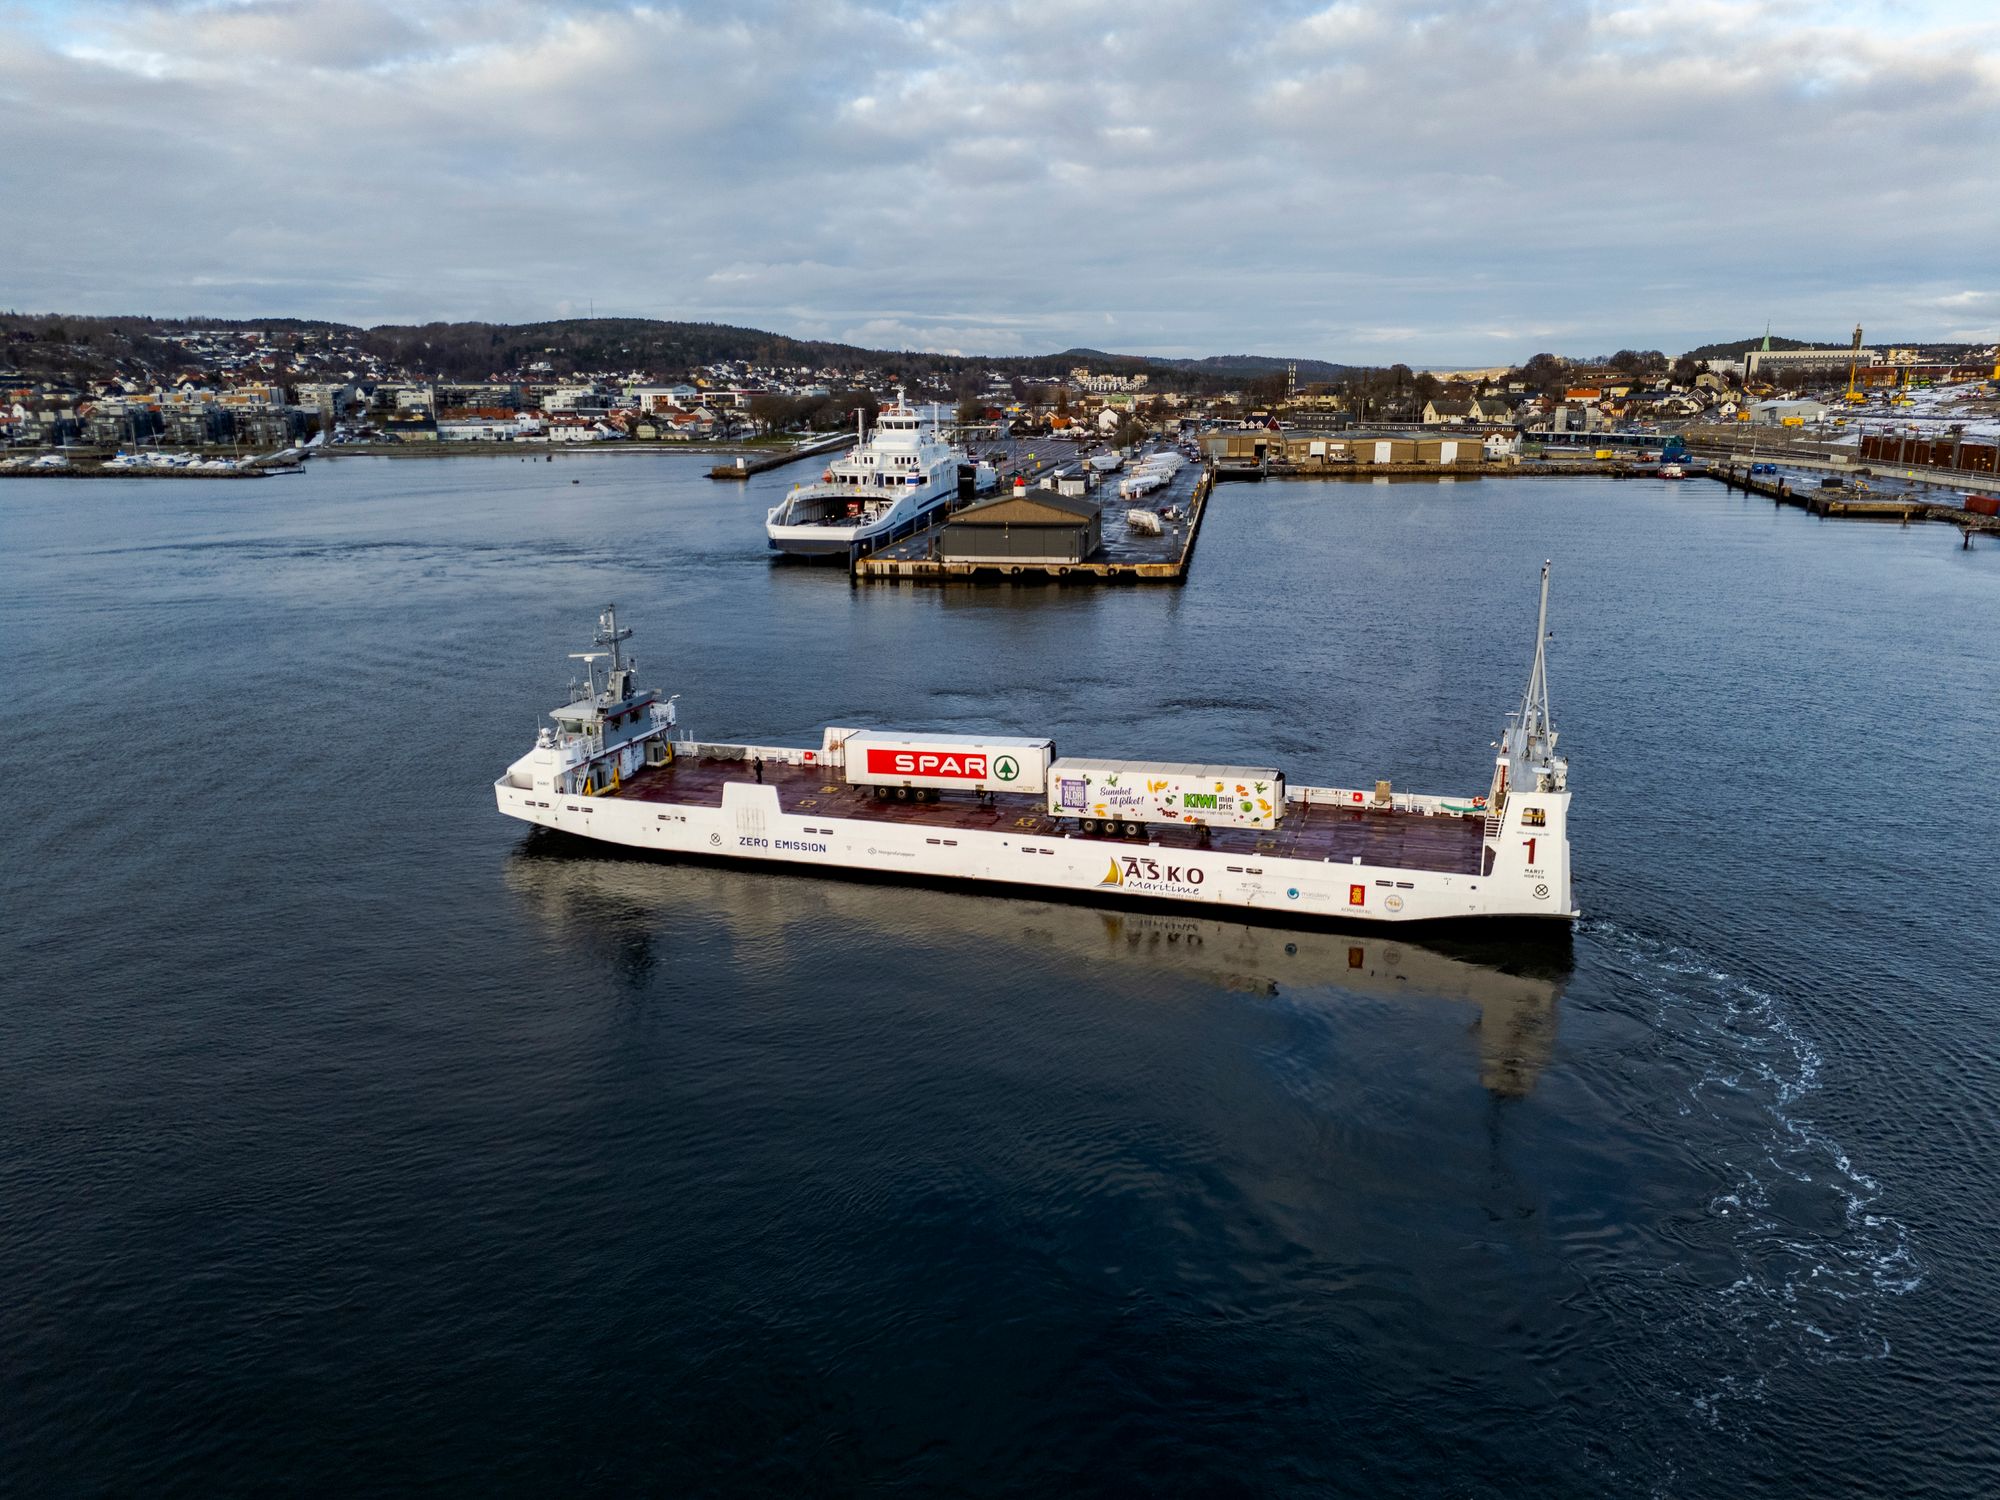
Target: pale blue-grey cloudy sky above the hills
<point>1455,181</point>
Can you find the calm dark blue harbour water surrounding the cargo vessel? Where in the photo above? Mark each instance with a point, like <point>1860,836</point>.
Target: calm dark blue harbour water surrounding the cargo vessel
<point>355,1139</point>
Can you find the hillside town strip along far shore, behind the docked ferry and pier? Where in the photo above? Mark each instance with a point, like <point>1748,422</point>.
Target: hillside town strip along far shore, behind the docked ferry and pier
<point>81,391</point>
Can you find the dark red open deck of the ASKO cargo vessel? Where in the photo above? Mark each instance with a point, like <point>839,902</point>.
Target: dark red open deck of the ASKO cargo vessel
<point>1403,841</point>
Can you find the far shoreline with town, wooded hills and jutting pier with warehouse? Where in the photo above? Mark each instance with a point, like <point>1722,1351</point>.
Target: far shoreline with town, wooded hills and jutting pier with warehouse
<point>1893,433</point>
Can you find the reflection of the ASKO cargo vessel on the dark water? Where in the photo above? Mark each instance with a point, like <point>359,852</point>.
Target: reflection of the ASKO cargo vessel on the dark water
<point>627,905</point>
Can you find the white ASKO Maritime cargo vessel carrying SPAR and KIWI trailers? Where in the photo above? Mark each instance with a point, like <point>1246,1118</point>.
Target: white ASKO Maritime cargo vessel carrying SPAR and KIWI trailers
<point>1013,813</point>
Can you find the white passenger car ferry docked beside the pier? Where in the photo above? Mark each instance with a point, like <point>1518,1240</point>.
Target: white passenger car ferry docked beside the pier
<point>881,489</point>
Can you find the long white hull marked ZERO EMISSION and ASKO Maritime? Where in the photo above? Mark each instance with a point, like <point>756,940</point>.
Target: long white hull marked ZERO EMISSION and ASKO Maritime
<point>1527,869</point>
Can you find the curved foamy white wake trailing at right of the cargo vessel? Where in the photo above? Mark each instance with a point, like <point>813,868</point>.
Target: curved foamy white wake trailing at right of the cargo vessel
<point>1815,1257</point>
